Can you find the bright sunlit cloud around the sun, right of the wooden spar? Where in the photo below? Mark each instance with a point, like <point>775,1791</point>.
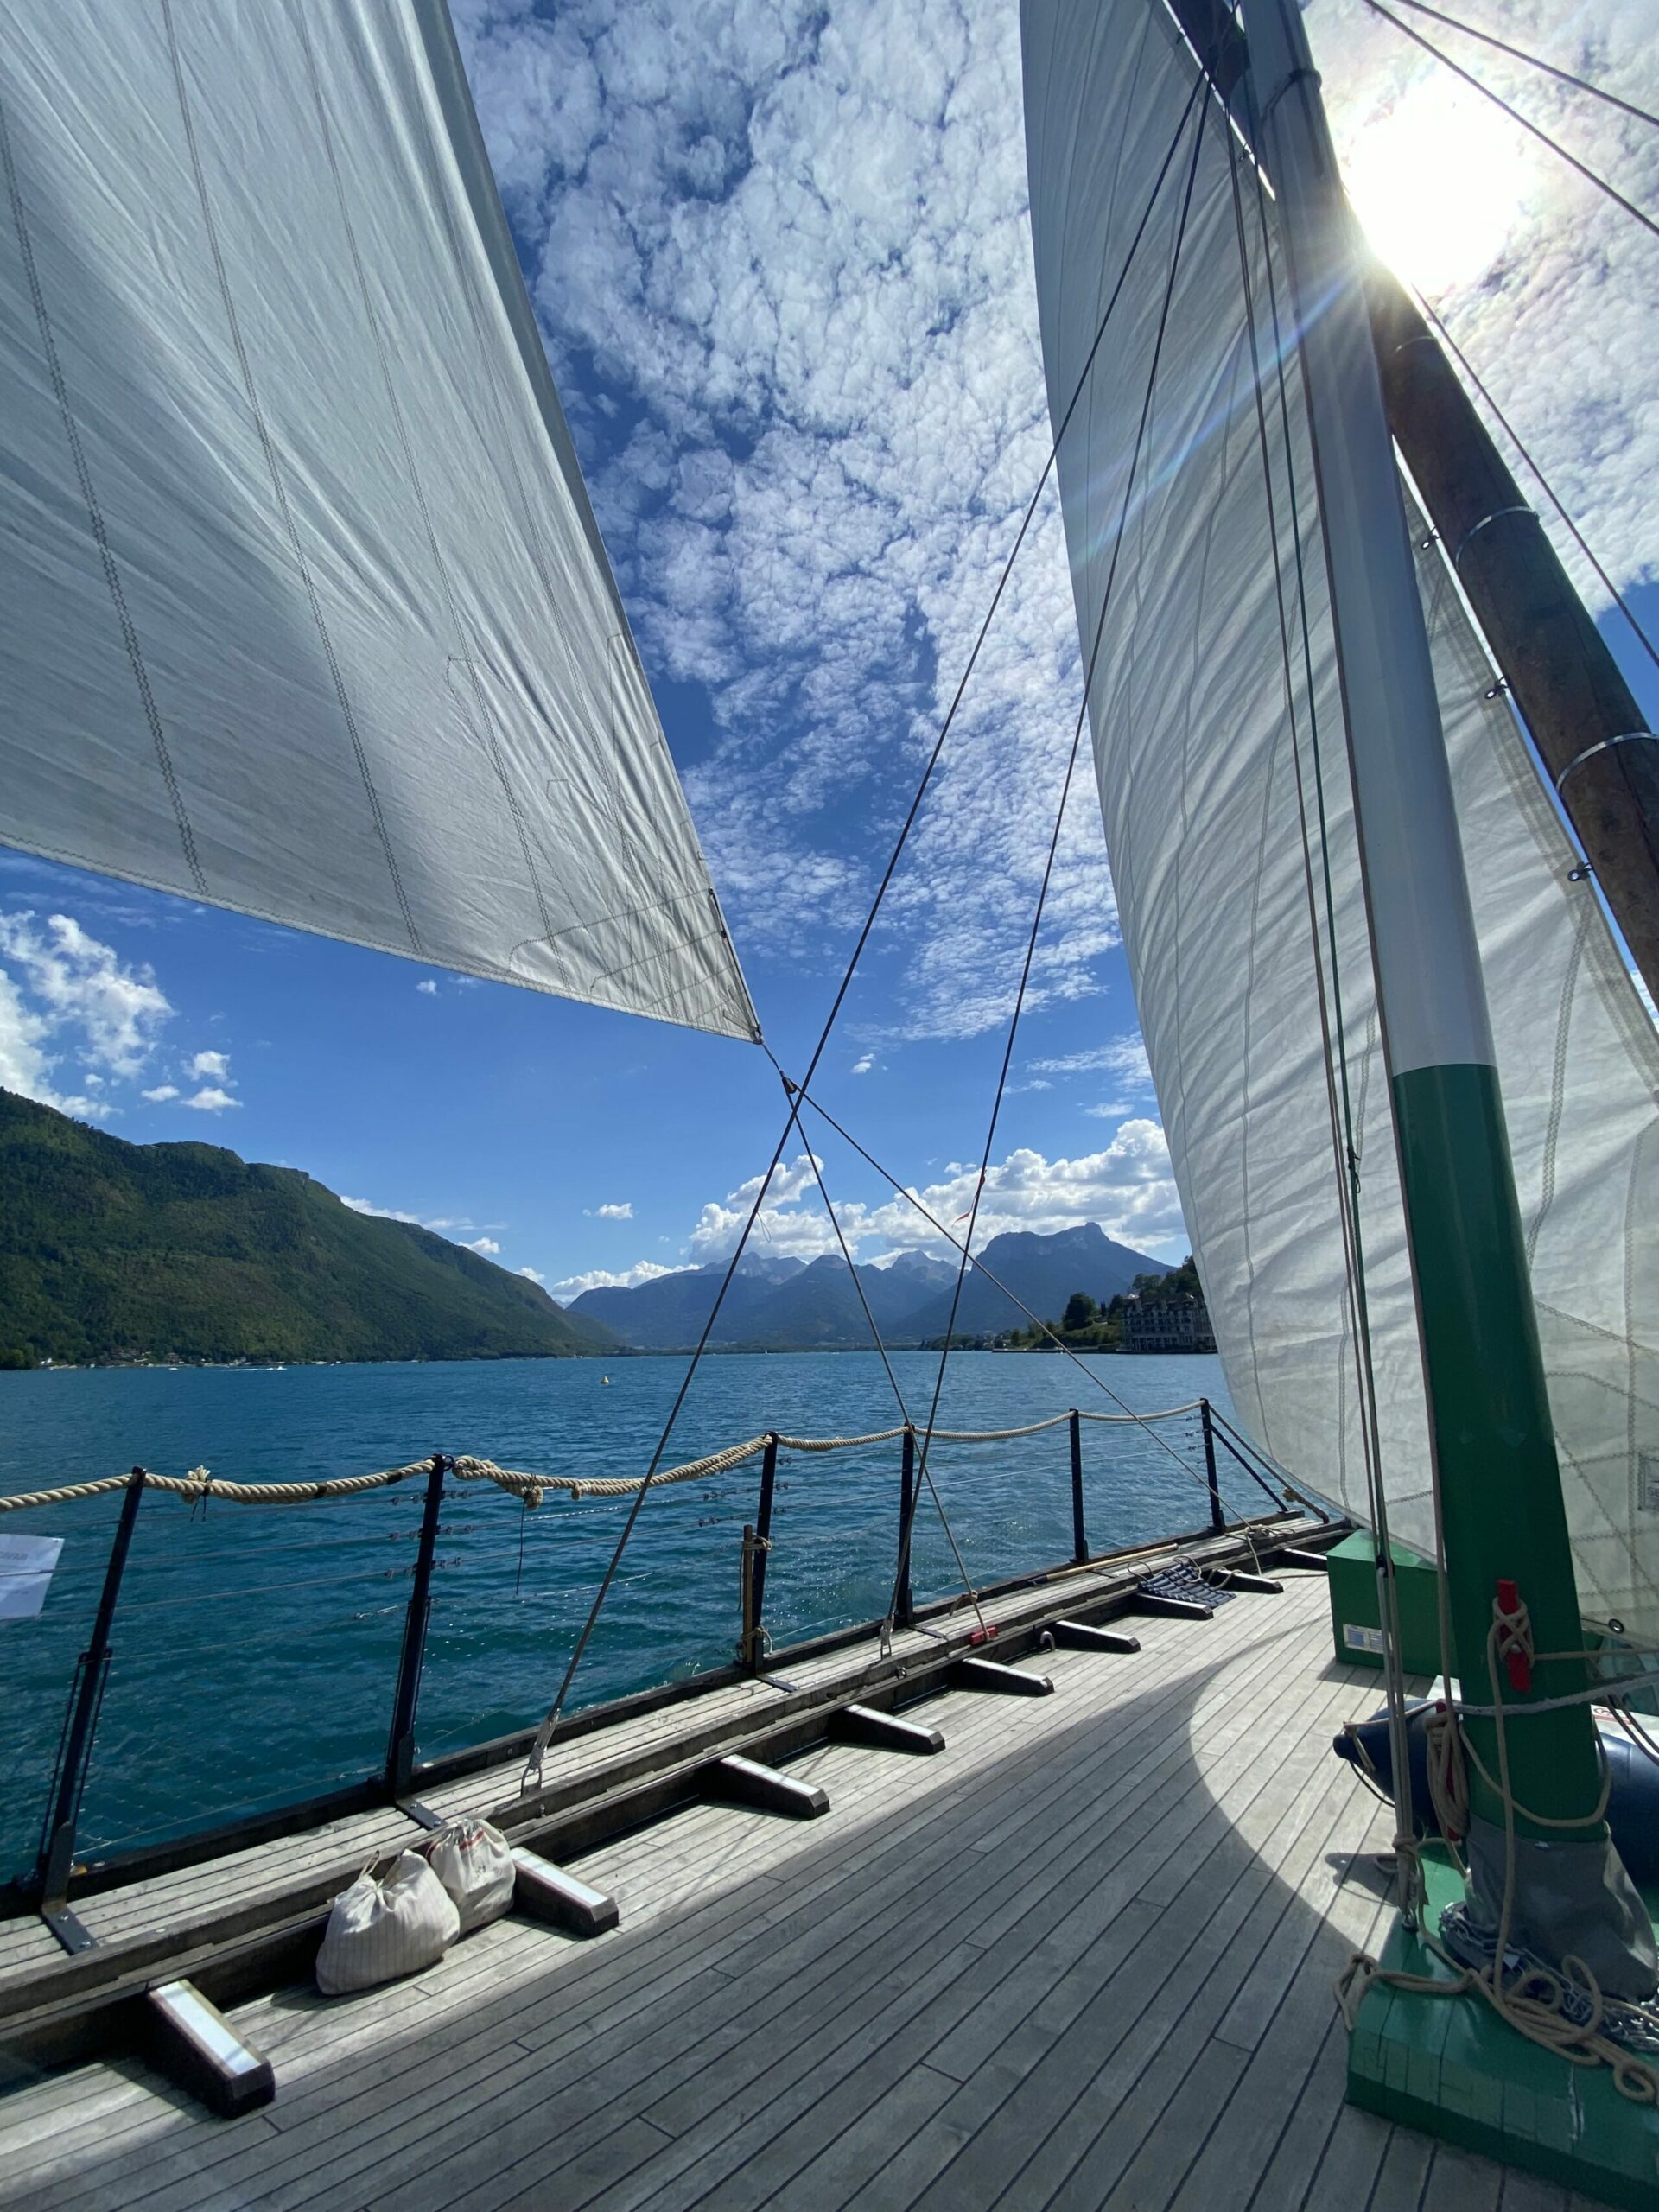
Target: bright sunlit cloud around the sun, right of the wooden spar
<point>1545,284</point>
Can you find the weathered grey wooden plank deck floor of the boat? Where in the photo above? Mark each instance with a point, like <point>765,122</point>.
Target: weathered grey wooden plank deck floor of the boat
<point>1081,1959</point>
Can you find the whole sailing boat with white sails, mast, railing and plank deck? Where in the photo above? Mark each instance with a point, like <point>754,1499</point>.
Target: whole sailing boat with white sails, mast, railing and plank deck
<point>311,618</point>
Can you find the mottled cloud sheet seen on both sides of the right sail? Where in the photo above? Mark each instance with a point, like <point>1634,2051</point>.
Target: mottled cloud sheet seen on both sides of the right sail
<point>791,238</point>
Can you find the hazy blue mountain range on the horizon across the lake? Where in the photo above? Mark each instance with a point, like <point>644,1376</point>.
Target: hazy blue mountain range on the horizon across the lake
<point>811,1306</point>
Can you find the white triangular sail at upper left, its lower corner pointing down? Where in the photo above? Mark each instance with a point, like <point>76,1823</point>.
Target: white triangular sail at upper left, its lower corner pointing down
<point>306,612</point>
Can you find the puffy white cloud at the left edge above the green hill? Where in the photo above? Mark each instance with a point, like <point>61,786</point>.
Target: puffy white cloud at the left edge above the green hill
<point>65,994</point>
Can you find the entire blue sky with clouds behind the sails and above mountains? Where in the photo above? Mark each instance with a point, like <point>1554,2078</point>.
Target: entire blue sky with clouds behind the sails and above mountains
<point>784,273</point>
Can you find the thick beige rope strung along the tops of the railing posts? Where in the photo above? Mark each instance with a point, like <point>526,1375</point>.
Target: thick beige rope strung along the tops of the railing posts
<point>202,1485</point>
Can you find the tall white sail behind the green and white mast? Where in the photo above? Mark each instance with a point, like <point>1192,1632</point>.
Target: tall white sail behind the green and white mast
<point>1211,758</point>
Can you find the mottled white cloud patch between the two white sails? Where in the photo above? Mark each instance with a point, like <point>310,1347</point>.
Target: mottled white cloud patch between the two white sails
<point>795,240</point>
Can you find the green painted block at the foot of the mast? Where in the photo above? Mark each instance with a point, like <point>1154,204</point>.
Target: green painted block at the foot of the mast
<point>1457,2072</point>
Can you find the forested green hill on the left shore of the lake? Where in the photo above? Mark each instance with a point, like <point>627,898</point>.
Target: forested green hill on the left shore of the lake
<point>182,1251</point>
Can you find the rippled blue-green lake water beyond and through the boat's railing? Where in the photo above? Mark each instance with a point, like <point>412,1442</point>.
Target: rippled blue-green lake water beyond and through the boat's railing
<point>255,1649</point>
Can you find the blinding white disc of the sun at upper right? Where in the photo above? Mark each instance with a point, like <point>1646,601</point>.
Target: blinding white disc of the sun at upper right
<point>1437,185</point>
